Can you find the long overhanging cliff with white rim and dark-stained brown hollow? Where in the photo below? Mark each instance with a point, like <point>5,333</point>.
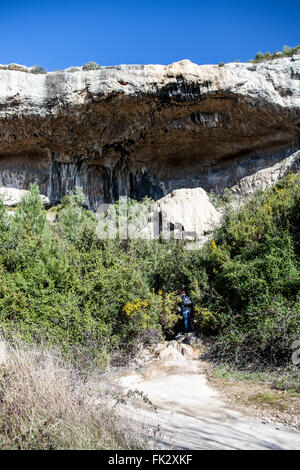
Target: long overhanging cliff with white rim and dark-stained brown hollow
<point>147,129</point>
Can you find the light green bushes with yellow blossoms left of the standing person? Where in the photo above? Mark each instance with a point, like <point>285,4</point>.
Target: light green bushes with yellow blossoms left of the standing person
<point>62,283</point>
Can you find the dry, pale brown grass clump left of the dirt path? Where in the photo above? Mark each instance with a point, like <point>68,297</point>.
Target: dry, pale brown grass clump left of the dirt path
<point>47,404</point>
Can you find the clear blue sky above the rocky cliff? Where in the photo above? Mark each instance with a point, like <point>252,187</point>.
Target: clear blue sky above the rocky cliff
<point>57,34</point>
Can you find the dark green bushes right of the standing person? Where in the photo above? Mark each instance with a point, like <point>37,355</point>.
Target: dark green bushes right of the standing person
<point>252,271</point>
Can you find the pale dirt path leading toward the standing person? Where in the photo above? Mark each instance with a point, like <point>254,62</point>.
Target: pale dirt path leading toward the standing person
<point>190,415</point>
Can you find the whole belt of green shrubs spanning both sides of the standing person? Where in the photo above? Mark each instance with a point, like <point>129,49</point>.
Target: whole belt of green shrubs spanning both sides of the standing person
<point>60,283</point>
